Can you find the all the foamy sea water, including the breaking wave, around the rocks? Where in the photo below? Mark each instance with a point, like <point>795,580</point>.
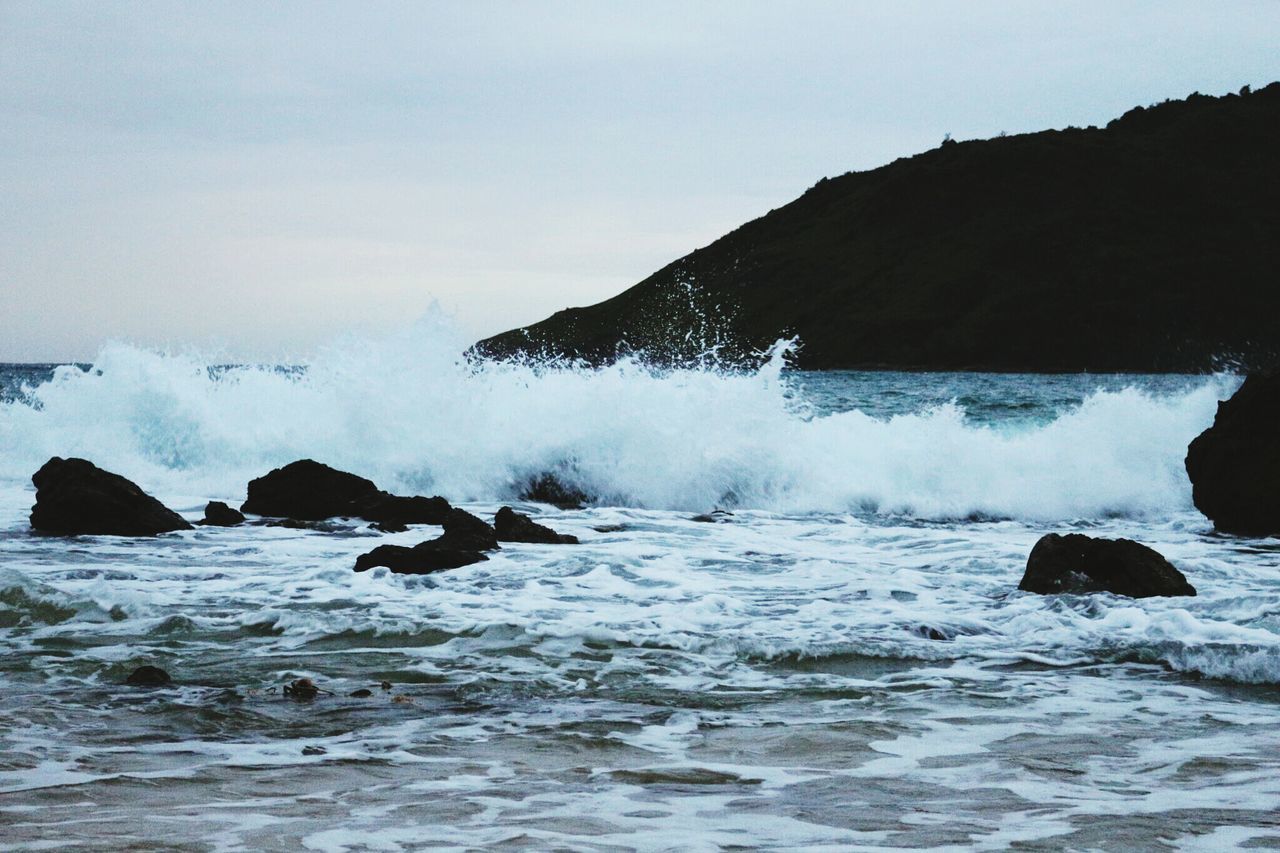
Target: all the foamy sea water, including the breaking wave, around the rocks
<point>844,664</point>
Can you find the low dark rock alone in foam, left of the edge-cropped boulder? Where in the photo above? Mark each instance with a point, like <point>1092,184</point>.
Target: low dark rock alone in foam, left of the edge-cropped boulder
<point>1080,564</point>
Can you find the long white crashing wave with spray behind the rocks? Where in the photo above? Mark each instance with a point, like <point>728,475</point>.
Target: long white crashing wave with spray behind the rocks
<point>415,417</point>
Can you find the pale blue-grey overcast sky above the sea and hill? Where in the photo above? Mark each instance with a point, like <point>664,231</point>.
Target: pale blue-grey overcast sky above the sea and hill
<point>258,180</point>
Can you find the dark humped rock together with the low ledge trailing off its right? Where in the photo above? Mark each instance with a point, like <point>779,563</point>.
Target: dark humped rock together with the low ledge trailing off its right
<point>310,491</point>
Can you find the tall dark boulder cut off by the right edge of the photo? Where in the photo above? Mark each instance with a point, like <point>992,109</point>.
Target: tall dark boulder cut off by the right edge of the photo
<point>1235,466</point>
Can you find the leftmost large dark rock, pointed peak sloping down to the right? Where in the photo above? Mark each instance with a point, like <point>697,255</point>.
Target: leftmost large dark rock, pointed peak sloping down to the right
<point>74,498</point>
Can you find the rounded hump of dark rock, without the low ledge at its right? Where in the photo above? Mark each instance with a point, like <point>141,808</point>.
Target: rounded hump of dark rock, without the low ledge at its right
<point>307,490</point>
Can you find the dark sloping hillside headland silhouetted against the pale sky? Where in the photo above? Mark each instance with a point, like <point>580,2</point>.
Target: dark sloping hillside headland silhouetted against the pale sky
<point>1153,244</point>
